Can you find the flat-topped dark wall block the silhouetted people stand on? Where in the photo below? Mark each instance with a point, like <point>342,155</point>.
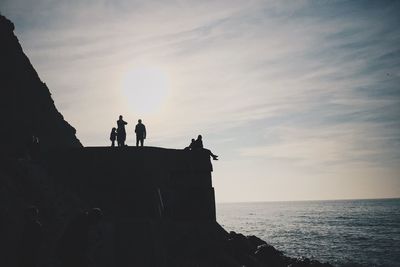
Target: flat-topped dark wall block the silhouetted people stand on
<point>144,182</point>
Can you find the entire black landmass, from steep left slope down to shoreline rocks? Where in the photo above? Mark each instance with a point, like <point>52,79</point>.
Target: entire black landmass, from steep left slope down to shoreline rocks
<point>158,204</point>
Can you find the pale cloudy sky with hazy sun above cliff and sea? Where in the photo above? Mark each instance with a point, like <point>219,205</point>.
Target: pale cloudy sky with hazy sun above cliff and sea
<point>300,99</point>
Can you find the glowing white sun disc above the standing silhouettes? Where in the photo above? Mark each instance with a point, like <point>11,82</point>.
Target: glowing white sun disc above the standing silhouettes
<point>145,89</point>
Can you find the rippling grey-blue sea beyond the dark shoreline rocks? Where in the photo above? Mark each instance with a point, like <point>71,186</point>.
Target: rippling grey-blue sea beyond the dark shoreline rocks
<point>345,233</point>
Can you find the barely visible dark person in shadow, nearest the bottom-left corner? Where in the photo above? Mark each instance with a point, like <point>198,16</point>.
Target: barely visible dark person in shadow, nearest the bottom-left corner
<point>31,239</point>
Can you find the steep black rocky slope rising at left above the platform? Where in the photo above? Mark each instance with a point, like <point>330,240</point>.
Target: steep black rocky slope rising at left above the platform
<point>26,106</point>
